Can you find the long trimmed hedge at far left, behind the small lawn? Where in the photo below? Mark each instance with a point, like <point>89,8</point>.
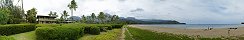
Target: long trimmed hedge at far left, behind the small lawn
<point>16,28</point>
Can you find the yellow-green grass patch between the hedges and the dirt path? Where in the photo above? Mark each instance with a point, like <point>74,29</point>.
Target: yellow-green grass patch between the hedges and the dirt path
<point>109,35</point>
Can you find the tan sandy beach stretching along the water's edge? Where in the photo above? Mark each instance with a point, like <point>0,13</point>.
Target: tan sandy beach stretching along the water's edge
<point>215,32</point>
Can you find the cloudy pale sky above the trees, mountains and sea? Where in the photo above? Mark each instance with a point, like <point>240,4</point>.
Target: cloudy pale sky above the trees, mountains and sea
<point>186,11</point>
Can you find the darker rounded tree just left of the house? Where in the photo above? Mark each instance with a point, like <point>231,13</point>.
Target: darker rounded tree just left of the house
<point>31,15</point>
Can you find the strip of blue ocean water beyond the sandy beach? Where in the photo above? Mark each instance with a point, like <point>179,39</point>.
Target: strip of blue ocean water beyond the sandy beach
<point>193,26</point>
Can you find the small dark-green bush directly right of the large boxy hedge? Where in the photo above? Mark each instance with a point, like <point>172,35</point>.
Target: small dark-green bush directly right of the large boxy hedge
<point>92,30</point>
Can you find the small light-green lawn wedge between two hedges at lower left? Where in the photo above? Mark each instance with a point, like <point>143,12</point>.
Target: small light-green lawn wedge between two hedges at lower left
<point>25,36</point>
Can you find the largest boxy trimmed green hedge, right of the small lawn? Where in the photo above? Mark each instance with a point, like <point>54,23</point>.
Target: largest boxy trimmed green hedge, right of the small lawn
<point>59,33</point>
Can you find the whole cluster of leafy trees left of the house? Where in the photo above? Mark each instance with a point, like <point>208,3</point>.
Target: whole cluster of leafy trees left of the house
<point>12,14</point>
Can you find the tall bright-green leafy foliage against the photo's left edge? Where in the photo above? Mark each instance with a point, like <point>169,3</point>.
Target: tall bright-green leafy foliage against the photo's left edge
<point>14,13</point>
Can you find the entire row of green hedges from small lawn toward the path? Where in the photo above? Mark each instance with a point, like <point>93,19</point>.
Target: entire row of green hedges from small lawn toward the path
<point>69,31</point>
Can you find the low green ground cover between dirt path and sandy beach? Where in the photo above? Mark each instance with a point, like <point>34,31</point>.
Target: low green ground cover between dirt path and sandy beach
<point>139,34</point>
